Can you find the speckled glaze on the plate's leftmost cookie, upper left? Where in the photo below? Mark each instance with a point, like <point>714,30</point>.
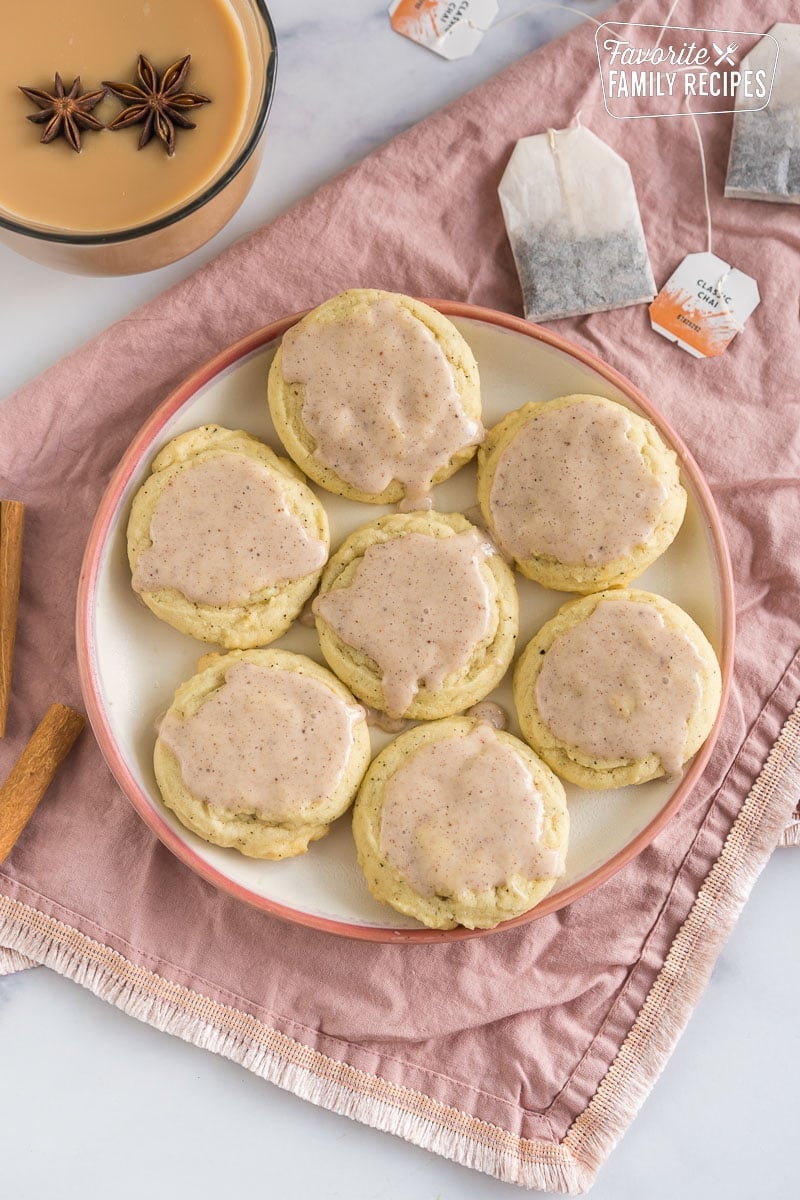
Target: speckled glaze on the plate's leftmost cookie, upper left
<point>221,532</point>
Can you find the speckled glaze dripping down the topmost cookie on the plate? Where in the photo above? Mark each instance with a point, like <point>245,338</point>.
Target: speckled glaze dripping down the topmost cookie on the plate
<point>381,400</point>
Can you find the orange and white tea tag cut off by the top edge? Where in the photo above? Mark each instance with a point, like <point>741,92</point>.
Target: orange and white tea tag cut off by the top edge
<point>450,28</point>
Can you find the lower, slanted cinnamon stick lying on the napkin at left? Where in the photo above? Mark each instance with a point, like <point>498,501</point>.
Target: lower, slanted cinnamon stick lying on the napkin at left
<point>34,771</point>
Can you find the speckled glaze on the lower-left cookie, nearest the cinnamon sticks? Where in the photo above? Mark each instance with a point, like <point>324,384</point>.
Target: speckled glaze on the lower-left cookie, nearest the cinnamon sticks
<point>268,741</point>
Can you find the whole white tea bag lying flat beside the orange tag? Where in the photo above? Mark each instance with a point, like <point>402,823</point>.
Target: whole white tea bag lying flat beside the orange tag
<point>574,225</point>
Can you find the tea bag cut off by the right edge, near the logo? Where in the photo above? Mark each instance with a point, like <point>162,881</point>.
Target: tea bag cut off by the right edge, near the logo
<point>765,163</point>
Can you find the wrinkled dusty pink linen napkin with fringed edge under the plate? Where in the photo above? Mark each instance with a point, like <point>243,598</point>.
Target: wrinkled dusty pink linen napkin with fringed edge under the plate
<point>526,1054</point>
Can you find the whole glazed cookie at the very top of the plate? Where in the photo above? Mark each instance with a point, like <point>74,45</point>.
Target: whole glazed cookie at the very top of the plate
<point>377,398</point>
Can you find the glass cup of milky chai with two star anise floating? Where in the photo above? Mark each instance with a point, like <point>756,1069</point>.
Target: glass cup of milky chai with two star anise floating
<point>125,127</point>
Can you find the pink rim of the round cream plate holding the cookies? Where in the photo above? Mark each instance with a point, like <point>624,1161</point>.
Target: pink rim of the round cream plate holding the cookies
<point>91,682</point>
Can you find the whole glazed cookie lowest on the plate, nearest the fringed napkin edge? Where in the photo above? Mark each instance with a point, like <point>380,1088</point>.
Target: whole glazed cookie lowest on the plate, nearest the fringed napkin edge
<point>458,824</point>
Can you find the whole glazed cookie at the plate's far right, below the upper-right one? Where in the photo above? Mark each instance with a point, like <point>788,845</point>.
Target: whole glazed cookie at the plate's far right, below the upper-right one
<point>618,688</point>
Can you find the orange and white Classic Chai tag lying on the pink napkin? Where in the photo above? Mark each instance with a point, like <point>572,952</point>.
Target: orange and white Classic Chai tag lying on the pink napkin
<point>703,305</point>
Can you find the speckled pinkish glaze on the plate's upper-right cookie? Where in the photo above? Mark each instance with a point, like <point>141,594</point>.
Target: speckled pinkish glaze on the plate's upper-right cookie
<point>573,485</point>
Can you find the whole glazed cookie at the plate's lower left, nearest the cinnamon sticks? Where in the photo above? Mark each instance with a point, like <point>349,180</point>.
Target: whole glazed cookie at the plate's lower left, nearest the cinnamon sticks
<point>261,751</point>
